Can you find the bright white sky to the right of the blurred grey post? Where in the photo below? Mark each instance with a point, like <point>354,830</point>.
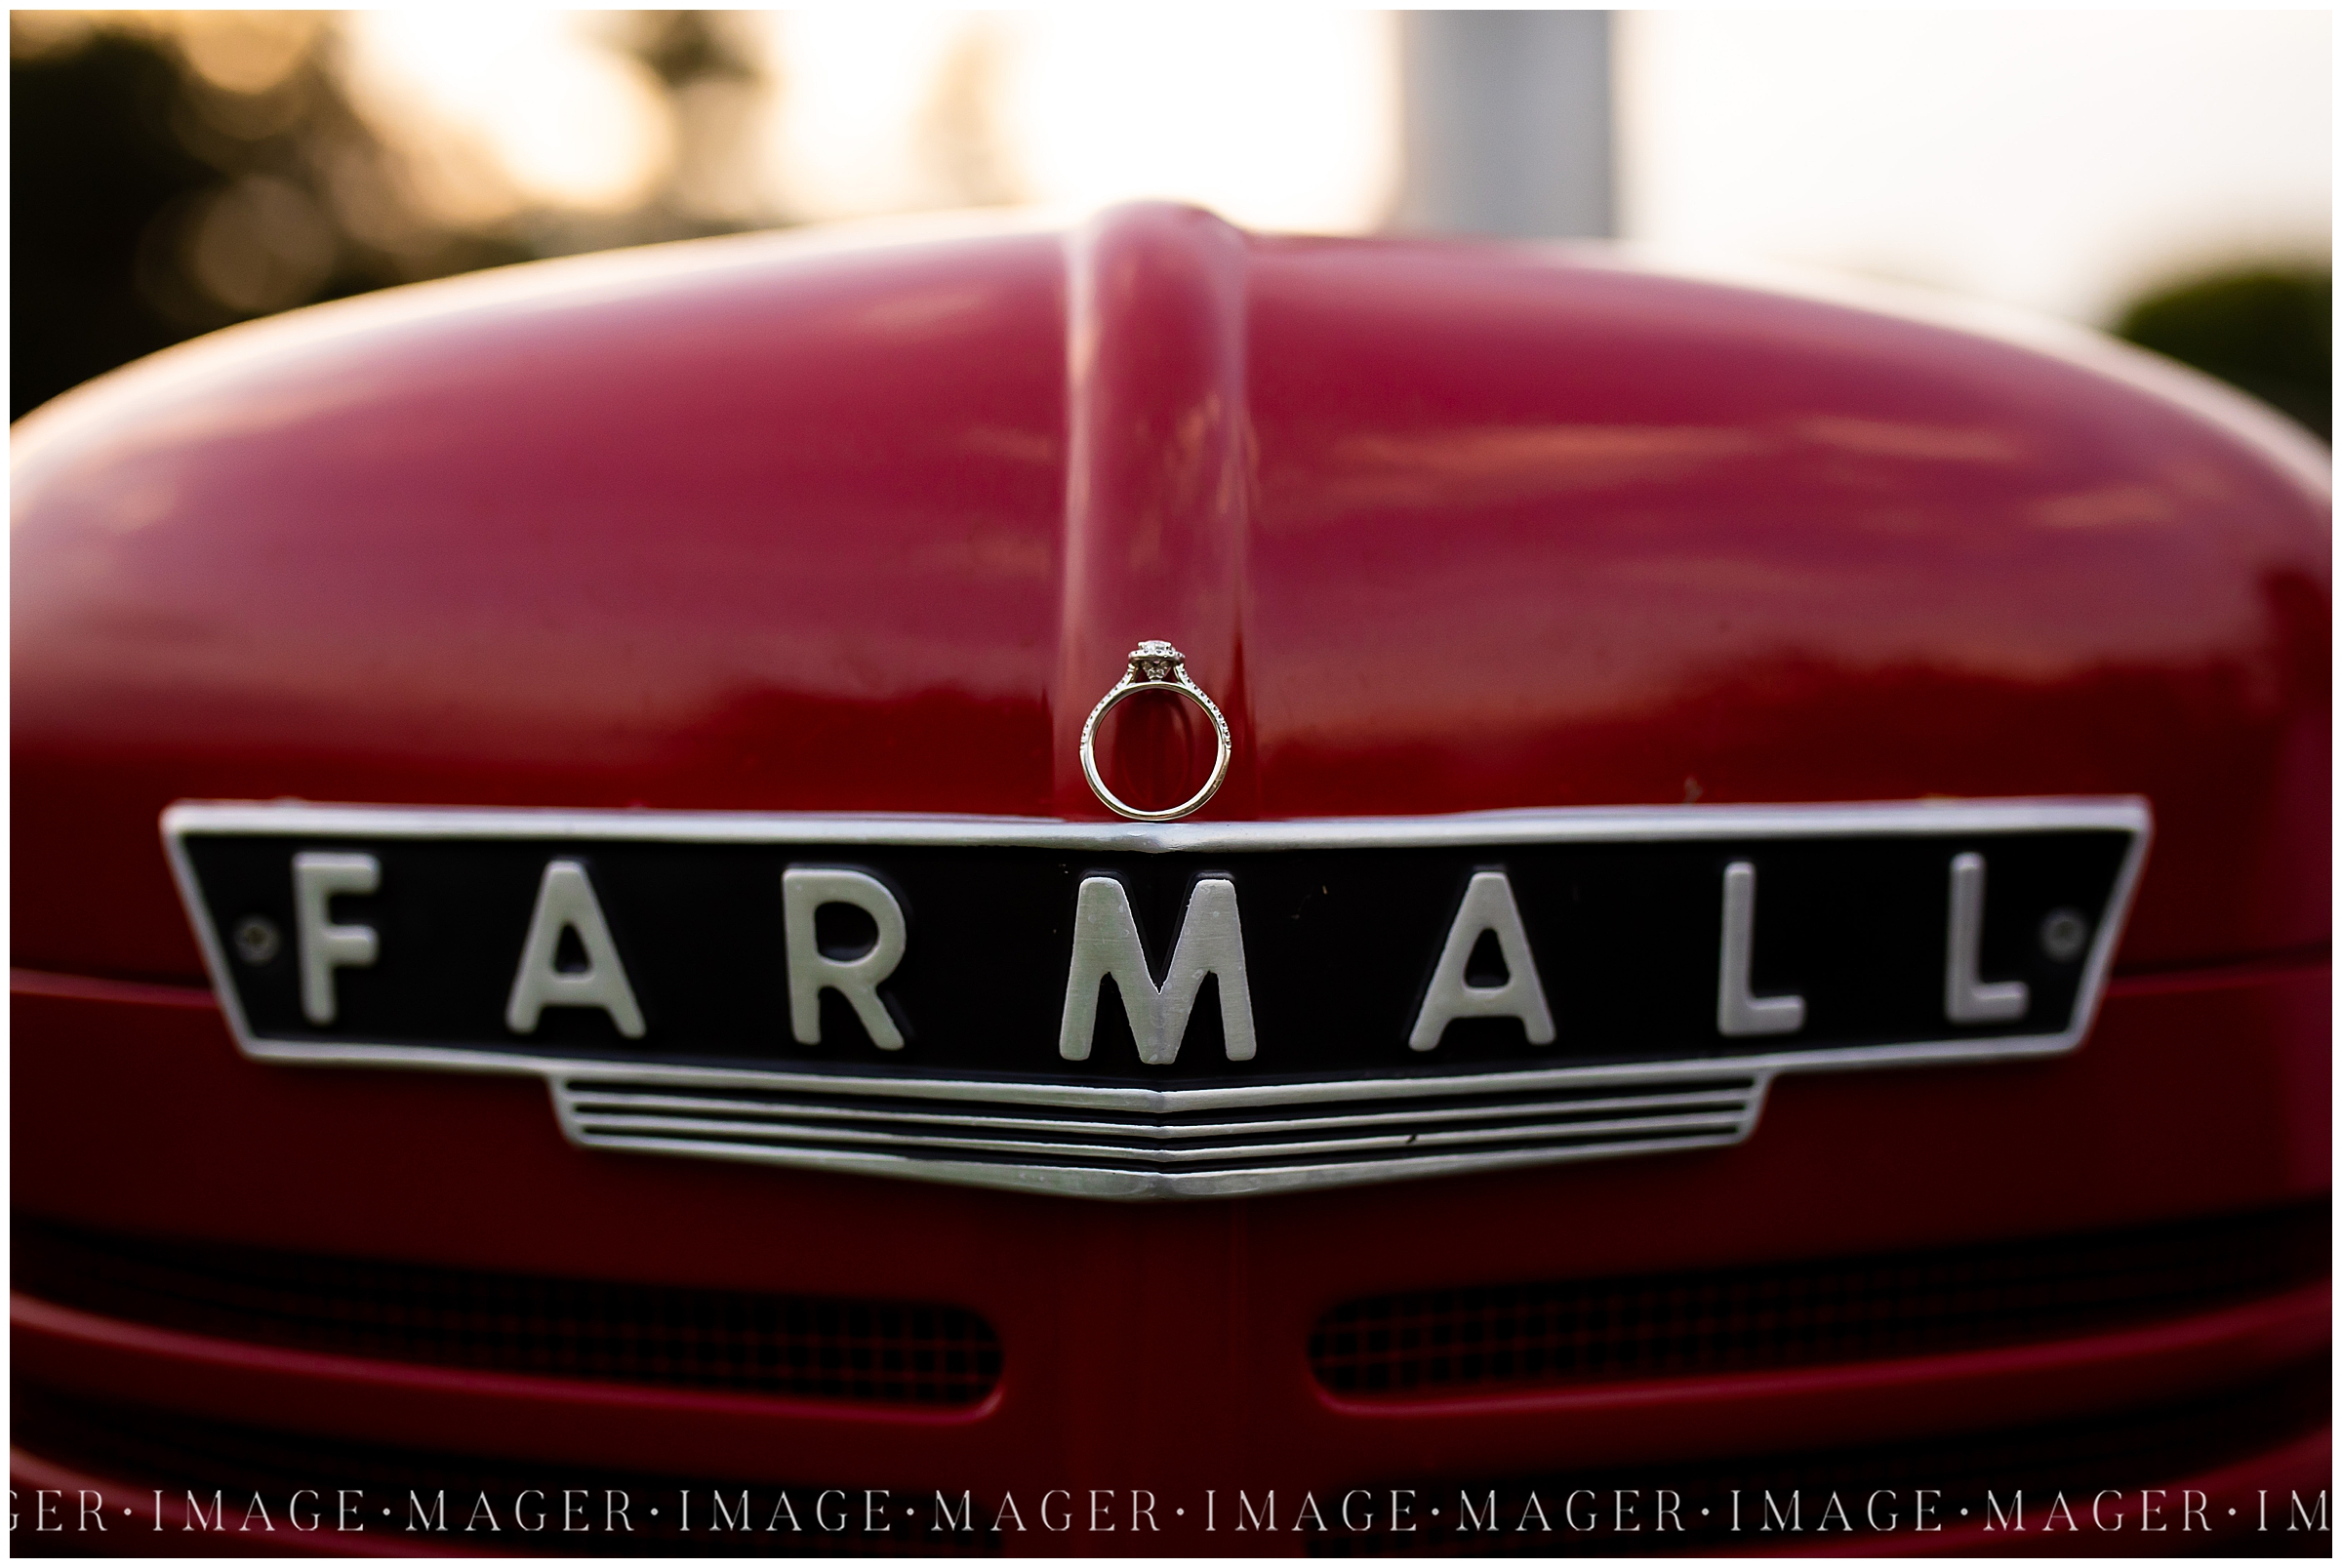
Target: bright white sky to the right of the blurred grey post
<point>2050,160</point>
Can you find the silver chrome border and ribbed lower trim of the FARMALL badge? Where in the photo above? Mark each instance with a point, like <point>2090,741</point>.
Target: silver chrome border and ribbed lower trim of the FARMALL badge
<point>1285,1164</point>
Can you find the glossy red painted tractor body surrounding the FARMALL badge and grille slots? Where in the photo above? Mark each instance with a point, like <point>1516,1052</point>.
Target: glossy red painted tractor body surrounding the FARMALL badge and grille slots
<point>804,523</point>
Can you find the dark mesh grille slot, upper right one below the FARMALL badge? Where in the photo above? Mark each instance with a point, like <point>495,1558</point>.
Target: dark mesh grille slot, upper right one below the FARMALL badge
<point>1507,1337</point>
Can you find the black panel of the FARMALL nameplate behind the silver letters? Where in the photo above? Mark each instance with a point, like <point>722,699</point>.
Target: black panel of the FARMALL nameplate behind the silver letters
<point>1343,928</point>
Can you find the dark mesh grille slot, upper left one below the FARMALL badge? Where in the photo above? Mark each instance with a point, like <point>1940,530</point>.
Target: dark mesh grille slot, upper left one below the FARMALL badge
<point>662,1335</point>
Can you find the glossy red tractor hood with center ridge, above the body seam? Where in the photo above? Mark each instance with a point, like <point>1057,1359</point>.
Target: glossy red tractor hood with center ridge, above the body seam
<point>814,523</point>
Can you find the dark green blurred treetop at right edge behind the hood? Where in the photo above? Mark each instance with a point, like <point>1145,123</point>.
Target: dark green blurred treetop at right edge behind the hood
<point>2268,331</point>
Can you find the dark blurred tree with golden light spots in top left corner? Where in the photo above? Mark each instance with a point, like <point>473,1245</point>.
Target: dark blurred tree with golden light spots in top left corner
<point>177,181</point>
